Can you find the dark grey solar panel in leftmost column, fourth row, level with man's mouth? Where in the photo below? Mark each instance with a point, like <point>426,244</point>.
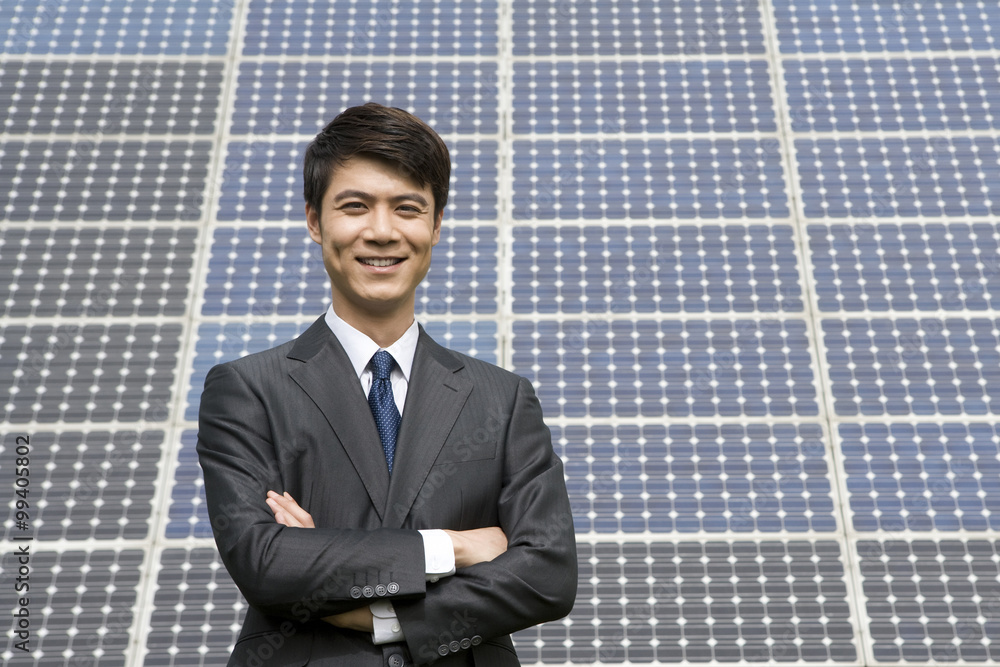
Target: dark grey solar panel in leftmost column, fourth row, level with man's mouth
<point>89,271</point>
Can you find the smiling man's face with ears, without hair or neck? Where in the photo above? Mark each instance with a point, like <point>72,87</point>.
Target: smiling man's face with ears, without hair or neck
<point>376,227</point>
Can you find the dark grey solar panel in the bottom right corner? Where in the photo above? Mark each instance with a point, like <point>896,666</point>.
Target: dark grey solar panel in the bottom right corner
<point>932,601</point>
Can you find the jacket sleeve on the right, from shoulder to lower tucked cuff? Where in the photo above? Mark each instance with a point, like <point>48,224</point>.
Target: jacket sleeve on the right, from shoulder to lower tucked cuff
<point>534,581</point>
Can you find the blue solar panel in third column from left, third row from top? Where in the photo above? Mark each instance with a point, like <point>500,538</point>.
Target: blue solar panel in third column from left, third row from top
<point>639,178</point>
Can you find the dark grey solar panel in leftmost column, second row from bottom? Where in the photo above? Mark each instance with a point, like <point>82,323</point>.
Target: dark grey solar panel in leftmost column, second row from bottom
<point>93,485</point>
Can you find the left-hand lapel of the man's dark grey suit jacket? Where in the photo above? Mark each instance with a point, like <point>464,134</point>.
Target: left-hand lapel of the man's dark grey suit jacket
<point>327,376</point>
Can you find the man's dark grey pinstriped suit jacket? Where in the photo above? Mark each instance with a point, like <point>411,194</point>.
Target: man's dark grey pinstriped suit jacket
<point>472,452</point>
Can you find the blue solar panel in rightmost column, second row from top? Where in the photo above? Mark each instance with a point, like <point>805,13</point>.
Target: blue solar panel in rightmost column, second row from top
<point>896,94</point>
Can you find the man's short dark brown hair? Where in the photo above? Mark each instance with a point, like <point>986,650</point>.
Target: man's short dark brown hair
<point>388,133</point>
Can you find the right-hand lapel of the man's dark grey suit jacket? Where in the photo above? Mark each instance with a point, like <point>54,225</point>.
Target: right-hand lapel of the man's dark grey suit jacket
<point>434,398</point>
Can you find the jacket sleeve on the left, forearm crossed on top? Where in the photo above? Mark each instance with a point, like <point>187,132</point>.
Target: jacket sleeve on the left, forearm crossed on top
<point>296,573</point>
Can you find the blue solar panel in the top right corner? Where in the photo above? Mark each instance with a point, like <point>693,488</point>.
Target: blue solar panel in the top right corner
<point>806,26</point>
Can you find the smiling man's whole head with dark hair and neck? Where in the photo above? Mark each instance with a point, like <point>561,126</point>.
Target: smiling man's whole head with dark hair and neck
<point>376,183</point>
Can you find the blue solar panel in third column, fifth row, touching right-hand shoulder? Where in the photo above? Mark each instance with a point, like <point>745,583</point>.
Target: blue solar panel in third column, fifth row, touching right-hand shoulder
<point>647,368</point>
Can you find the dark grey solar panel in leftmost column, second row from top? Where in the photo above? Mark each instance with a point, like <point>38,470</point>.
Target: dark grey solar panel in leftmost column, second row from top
<point>104,97</point>
